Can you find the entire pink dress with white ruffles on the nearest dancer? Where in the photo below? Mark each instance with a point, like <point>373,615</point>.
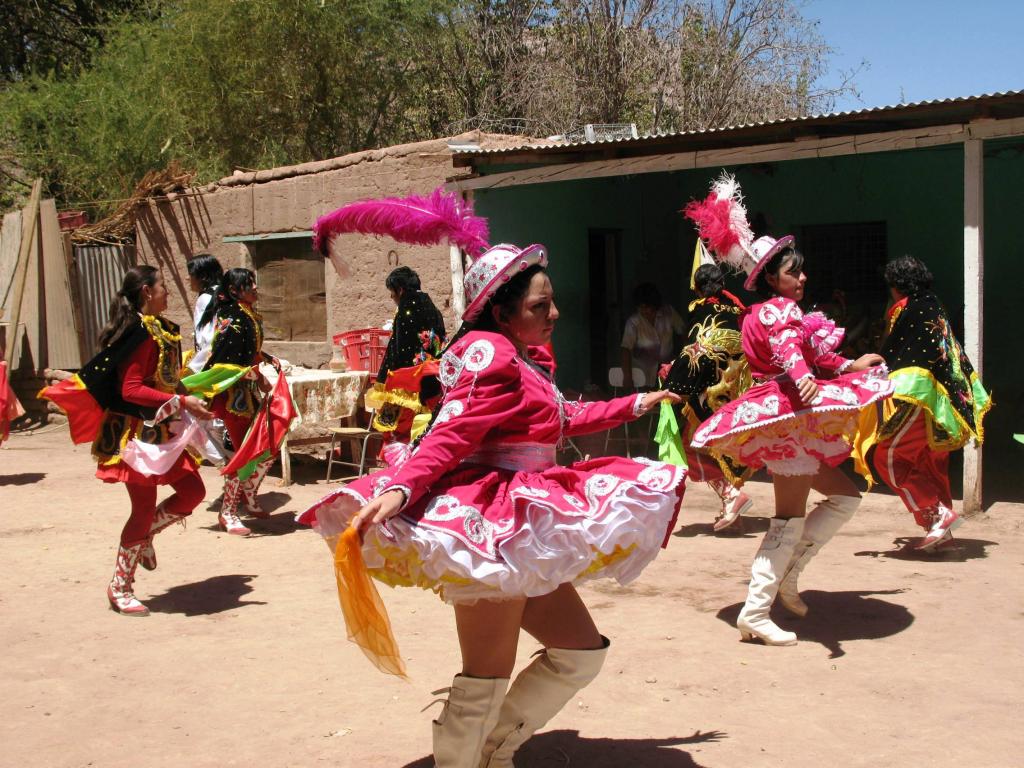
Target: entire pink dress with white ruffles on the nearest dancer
<point>489,515</point>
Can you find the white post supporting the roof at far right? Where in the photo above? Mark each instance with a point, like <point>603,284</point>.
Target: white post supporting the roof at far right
<point>974,298</point>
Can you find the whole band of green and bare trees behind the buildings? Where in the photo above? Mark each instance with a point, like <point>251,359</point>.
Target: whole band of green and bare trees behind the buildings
<point>225,84</point>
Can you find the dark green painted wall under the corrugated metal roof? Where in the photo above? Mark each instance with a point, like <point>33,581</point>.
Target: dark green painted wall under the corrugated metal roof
<point>918,193</point>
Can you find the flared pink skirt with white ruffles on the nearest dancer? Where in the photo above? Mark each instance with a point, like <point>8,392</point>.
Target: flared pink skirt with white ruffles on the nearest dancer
<point>493,533</point>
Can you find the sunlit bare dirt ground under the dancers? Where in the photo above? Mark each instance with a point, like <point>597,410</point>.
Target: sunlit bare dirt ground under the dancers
<point>907,661</point>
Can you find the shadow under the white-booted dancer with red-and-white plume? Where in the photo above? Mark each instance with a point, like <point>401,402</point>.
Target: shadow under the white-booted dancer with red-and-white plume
<point>837,617</point>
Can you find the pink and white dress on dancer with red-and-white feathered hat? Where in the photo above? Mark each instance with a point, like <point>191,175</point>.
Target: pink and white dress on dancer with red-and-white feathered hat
<point>770,426</point>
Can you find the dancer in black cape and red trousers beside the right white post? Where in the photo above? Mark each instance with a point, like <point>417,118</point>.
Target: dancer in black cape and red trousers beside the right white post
<point>938,406</point>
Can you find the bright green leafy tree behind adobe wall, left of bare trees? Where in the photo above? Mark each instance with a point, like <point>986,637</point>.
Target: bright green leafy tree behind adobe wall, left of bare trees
<point>221,84</point>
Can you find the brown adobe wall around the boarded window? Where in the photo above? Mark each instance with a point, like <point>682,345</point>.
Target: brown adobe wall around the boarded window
<point>290,199</point>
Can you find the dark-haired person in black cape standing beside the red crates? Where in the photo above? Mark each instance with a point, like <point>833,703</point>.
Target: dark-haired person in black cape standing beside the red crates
<point>417,336</point>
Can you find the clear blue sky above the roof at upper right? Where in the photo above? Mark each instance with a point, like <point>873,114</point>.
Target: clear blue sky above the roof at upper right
<point>923,50</point>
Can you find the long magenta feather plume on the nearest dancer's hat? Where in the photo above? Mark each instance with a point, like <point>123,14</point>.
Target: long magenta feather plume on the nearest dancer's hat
<point>416,220</point>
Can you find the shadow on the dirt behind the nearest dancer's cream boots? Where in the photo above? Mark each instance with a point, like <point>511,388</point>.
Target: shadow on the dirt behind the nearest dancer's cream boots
<point>560,749</point>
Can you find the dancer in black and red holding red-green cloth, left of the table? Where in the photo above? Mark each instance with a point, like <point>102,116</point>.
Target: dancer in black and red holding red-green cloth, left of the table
<point>238,346</point>
